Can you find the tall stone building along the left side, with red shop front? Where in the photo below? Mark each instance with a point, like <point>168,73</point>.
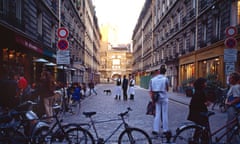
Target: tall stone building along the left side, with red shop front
<point>29,32</point>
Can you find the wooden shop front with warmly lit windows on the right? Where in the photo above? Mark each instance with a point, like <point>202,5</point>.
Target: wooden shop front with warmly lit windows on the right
<point>202,63</point>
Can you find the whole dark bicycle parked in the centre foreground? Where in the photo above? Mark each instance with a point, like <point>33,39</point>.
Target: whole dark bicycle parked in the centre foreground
<point>128,134</point>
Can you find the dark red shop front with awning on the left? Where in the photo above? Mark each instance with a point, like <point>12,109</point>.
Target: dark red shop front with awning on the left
<point>18,54</point>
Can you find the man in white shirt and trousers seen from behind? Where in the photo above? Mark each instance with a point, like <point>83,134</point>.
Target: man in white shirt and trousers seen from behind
<point>158,87</point>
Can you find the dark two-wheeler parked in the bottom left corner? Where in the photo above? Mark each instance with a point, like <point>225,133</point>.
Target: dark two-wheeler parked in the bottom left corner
<point>18,124</point>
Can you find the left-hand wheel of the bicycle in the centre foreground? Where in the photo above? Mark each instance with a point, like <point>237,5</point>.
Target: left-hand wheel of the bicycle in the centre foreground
<point>80,136</point>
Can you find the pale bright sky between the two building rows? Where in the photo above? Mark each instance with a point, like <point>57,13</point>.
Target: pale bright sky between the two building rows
<point>121,14</point>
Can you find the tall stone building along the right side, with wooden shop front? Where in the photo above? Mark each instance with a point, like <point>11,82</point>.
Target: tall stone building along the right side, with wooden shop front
<point>189,36</point>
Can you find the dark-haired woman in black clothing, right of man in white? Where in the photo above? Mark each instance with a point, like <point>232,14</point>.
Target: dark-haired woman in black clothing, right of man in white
<point>199,103</point>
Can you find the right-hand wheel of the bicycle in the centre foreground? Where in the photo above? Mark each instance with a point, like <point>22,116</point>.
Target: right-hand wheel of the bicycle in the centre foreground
<point>134,136</point>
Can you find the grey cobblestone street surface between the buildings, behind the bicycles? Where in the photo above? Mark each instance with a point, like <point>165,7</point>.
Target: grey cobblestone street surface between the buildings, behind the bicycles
<point>109,108</point>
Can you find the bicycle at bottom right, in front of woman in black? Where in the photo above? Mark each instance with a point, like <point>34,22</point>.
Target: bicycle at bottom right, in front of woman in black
<point>192,133</point>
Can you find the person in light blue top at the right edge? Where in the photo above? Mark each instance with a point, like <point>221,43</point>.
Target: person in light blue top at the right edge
<point>233,99</point>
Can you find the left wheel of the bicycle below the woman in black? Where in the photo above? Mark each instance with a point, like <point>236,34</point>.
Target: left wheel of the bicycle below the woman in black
<point>188,135</point>
